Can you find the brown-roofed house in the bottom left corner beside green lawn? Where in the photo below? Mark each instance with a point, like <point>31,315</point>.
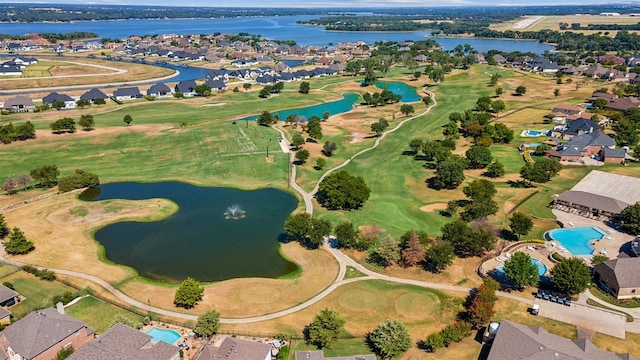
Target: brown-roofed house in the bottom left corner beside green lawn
<point>42,333</point>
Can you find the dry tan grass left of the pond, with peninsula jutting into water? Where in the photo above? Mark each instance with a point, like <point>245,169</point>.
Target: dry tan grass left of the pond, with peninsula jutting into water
<point>64,241</point>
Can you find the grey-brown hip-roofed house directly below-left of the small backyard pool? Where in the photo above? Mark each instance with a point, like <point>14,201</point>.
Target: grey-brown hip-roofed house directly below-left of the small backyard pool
<point>121,342</point>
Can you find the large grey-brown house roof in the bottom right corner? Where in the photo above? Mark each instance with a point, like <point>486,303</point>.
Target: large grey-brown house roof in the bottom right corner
<point>515,341</point>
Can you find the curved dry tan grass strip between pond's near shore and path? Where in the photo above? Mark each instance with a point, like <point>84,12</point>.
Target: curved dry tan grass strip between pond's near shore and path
<point>252,296</point>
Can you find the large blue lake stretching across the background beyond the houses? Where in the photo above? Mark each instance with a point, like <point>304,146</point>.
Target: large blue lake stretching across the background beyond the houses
<point>272,27</point>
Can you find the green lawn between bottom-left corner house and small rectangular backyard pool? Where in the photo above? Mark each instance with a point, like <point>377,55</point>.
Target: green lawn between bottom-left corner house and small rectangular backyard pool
<point>98,314</point>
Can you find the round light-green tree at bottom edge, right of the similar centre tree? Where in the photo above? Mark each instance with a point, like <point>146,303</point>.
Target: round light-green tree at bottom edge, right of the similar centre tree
<point>389,339</point>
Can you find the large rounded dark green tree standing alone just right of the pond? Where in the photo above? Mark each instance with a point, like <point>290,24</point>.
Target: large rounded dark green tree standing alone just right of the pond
<point>341,191</point>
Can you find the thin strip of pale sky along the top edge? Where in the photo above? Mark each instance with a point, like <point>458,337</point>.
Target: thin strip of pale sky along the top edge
<point>334,3</point>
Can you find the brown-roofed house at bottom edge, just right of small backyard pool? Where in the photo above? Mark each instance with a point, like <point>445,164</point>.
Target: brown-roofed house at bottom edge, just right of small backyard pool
<point>235,349</point>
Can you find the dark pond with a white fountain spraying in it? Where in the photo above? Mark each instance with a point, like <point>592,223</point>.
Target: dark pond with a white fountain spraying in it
<point>216,234</point>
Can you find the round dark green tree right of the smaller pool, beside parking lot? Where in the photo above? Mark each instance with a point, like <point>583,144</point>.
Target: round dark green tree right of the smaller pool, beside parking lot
<point>571,276</point>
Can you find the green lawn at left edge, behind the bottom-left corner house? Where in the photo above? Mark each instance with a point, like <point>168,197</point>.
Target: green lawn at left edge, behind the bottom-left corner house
<point>38,293</point>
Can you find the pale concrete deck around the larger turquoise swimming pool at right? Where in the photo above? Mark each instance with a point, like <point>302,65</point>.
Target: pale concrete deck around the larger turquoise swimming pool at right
<point>609,245</point>
